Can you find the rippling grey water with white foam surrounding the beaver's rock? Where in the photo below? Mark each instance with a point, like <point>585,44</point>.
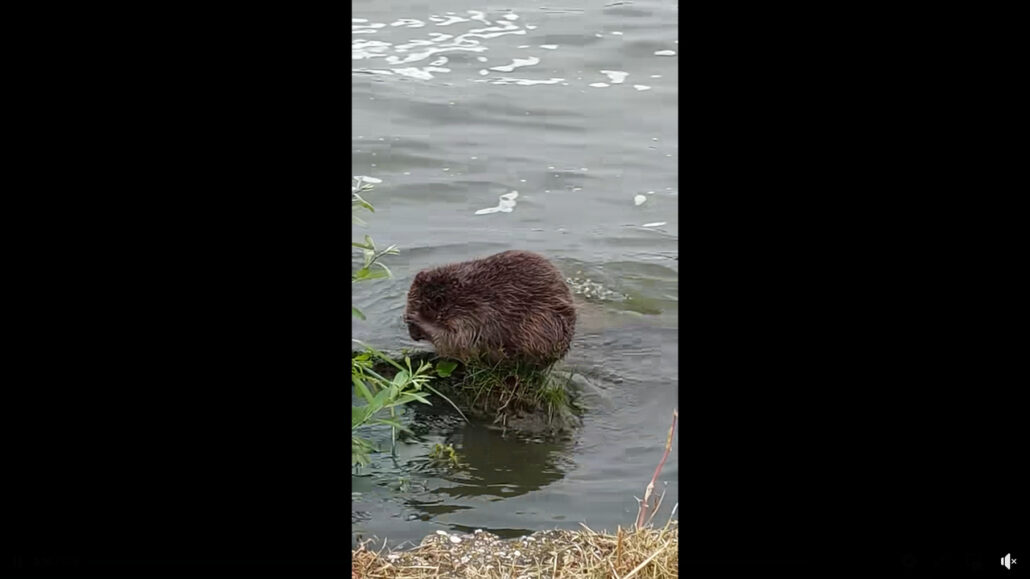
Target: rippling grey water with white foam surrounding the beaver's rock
<point>543,126</point>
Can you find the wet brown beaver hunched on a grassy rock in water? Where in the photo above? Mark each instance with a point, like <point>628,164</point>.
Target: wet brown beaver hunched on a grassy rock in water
<point>513,306</point>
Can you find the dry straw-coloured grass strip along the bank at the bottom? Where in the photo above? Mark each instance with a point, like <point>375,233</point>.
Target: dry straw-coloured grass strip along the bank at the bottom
<point>646,554</point>
